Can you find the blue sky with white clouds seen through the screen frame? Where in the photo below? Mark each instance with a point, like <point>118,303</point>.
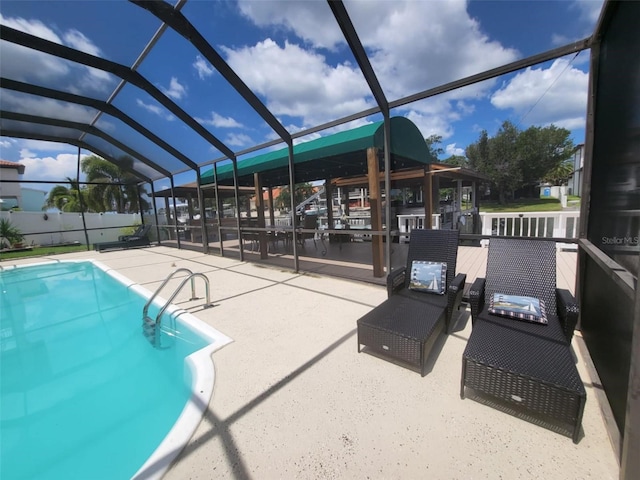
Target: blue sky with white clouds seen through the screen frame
<point>292,54</point>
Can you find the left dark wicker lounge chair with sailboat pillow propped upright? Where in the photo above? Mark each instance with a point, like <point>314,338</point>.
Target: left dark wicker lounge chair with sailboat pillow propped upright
<point>407,324</point>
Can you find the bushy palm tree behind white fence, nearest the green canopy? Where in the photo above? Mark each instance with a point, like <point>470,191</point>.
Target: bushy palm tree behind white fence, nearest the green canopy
<point>116,188</point>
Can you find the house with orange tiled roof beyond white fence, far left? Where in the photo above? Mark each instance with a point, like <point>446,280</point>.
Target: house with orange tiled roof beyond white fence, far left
<point>13,195</point>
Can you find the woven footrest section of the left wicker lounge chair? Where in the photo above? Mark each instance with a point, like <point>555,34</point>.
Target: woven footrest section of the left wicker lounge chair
<point>402,328</point>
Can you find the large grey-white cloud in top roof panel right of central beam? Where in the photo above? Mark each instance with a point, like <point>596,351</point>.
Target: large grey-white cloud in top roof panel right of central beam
<point>418,45</point>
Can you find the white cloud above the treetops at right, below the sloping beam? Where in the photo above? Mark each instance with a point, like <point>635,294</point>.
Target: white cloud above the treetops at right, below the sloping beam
<point>541,96</point>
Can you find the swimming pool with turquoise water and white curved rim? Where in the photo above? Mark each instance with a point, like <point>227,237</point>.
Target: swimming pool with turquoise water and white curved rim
<point>83,393</point>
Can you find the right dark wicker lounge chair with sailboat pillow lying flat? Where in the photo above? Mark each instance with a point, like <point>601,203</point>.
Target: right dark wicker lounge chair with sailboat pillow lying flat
<point>523,367</point>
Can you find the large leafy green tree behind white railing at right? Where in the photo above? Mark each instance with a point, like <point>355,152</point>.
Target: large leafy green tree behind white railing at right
<point>514,159</point>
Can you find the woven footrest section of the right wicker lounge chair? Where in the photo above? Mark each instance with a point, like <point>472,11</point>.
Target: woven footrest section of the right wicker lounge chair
<point>529,367</point>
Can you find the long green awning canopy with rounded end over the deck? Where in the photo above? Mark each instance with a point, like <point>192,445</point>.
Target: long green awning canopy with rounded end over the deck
<point>340,155</point>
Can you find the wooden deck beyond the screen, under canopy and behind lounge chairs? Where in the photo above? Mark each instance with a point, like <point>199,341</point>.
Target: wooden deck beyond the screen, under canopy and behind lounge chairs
<point>353,260</point>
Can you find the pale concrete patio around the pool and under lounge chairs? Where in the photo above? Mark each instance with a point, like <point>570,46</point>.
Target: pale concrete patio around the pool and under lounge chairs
<point>294,399</point>
